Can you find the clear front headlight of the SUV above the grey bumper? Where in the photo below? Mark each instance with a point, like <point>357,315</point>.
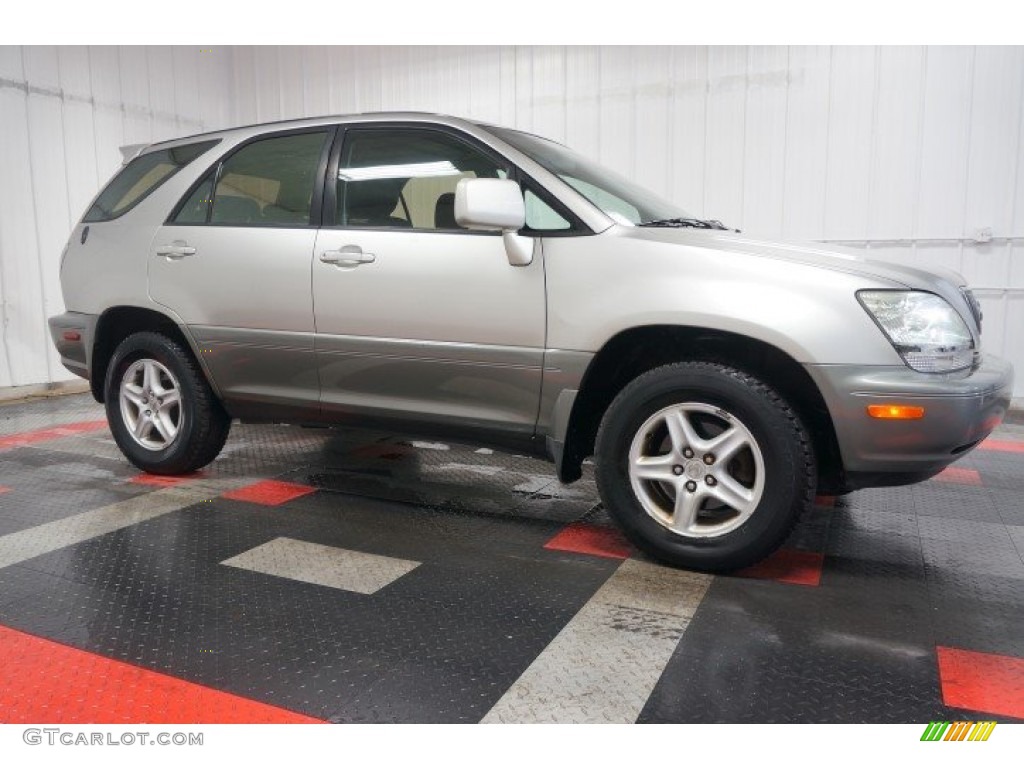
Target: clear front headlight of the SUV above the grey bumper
<point>928,333</point>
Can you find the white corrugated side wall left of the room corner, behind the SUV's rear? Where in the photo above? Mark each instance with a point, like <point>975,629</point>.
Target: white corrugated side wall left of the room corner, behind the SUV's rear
<point>65,112</point>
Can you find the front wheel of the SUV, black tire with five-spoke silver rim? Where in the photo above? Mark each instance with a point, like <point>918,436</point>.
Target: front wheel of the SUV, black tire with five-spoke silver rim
<point>704,466</point>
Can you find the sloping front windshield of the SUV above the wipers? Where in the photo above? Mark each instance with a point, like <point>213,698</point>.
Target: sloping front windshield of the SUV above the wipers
<point>619,198</point>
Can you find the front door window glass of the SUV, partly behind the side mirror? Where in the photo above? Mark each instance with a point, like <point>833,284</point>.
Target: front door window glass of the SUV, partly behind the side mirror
<point>406,179</point>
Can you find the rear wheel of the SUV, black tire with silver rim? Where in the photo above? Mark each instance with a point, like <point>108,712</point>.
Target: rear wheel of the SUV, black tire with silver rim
<point>162,413</point>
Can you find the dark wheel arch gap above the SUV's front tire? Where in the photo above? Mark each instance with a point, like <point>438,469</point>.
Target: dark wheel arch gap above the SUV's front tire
<point>636,351</point>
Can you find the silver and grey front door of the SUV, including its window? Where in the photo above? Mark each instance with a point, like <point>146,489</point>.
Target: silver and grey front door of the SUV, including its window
<point>417,319</point>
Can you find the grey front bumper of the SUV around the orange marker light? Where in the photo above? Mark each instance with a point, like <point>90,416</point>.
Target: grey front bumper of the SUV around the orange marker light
<point>961,410</point>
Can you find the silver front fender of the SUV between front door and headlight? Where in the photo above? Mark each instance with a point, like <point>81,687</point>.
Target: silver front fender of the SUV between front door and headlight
<point>604,285</point>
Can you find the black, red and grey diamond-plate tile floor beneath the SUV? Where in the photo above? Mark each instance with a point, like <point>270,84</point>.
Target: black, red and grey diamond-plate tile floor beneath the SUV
<point>356,577</point>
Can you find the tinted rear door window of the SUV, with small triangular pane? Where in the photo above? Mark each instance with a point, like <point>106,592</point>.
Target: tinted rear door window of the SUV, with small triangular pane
<point>270,182</point>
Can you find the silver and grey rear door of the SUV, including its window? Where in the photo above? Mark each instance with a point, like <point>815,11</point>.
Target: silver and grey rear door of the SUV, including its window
<point>234,263</point>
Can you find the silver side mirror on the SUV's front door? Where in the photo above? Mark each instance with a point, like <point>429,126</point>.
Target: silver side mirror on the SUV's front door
<point>496,204</point>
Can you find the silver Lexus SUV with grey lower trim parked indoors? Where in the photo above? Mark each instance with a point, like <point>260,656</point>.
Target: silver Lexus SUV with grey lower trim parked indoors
<point>434,276</point>
